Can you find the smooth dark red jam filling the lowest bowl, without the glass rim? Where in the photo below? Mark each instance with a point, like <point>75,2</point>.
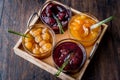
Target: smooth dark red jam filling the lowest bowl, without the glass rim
<point>64,49</point>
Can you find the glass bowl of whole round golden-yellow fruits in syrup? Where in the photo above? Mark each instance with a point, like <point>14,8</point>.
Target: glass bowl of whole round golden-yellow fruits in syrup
<point>39,41</point>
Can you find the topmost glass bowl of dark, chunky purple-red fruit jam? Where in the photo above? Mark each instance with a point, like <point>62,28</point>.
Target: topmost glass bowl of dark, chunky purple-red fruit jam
<point>61,12</point>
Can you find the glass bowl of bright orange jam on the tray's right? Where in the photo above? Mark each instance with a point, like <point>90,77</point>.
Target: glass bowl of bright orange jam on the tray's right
<point>79,27</point>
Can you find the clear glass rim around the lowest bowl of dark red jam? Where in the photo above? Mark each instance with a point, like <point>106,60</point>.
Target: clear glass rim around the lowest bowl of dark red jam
<point>80,46</point>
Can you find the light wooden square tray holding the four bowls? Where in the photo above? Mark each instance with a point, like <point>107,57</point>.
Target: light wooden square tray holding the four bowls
<point>47,63</point>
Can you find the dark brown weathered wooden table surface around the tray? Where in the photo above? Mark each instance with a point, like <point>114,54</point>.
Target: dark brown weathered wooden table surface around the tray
<point>14,14</point>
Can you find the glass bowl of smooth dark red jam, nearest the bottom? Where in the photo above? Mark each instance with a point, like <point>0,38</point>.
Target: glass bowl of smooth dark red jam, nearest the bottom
<point>73,49</point>
